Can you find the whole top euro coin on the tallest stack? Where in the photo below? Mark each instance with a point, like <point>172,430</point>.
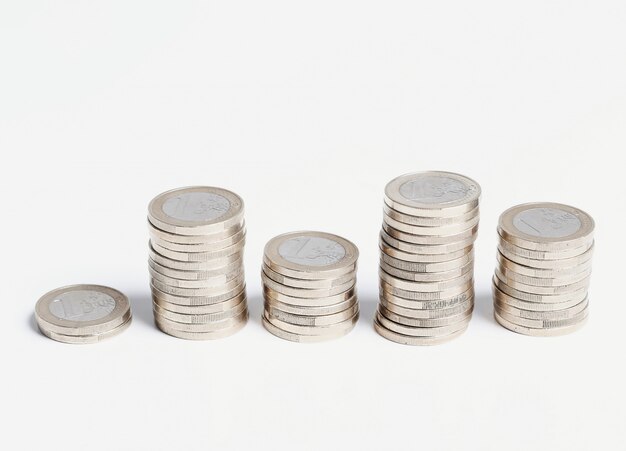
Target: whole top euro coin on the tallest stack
<point>433,193</point>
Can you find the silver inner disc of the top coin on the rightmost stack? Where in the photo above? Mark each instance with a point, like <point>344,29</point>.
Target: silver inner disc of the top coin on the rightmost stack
<point>547,222</point>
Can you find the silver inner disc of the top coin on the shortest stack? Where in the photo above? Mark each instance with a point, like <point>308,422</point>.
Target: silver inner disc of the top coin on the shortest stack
<point>82,305</point>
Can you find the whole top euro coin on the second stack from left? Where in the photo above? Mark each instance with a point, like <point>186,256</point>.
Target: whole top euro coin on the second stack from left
<point>196,210</point>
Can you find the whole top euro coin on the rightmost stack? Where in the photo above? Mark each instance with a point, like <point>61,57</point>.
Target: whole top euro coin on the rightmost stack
<point>546,226</point>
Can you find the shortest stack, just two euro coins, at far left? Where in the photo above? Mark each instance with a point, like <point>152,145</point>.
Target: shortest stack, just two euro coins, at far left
<point>82,313</point>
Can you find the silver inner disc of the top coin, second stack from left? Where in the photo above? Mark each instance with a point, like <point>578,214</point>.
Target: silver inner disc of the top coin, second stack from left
<point>196,206</point>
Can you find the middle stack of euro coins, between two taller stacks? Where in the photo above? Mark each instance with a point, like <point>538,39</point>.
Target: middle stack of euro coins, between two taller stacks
<point>309,283</point>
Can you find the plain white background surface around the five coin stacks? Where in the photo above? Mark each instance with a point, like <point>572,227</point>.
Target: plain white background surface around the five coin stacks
<point>307,110</point>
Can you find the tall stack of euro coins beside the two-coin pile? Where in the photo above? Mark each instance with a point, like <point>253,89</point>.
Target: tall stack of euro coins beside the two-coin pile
<point>197,238</point>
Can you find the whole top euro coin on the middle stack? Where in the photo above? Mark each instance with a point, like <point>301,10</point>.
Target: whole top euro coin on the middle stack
<point>307,255</point>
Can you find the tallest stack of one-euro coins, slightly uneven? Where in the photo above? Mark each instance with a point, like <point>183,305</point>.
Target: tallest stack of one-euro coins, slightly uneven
<point>430,223</point>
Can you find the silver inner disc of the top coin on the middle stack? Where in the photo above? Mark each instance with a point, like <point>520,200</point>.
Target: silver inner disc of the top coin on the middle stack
<point>312,251</point>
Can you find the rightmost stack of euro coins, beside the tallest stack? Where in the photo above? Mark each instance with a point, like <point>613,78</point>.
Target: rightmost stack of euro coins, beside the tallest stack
<point>544,265</point>
